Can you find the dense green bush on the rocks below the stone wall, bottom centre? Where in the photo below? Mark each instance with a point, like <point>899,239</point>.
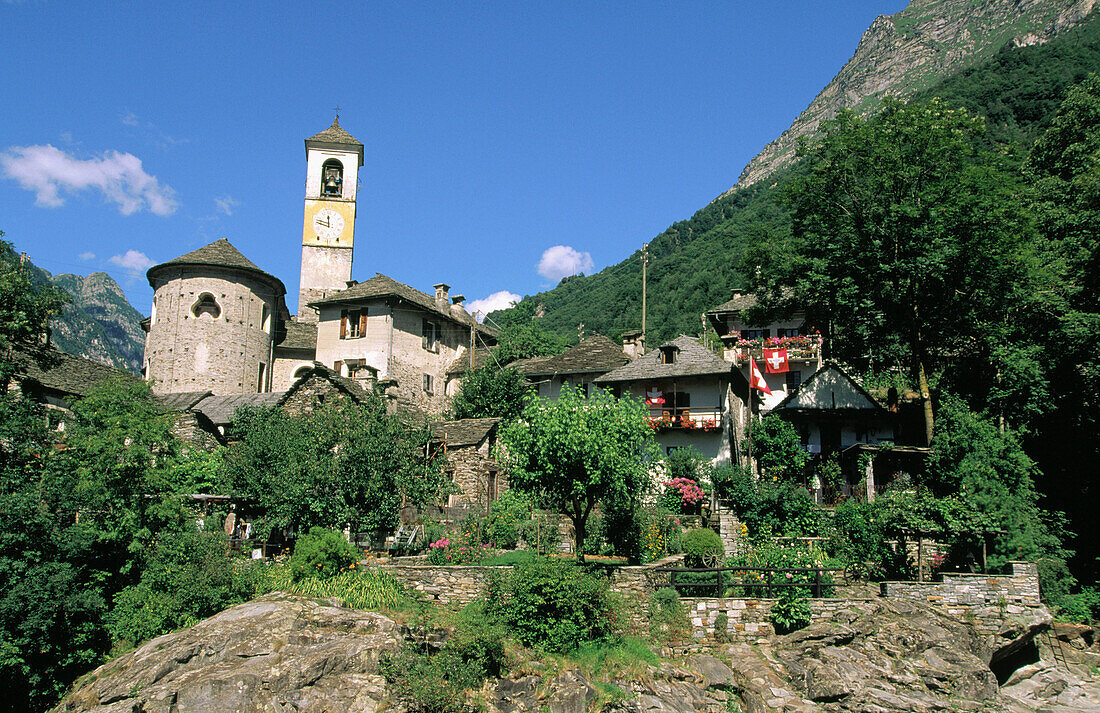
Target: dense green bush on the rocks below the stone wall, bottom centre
<point>554,606</point>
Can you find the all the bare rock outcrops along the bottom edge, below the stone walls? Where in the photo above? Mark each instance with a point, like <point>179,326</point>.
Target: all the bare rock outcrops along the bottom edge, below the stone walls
<point>282,653</point>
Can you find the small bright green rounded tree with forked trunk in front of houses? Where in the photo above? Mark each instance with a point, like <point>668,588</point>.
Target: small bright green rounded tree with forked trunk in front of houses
<point>579,452</point>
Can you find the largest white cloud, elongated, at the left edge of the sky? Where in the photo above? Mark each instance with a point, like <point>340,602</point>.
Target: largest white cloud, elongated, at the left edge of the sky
<point>50,172</point>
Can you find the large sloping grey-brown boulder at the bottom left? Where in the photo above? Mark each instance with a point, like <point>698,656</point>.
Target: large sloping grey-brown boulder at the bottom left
<point>278,653</point>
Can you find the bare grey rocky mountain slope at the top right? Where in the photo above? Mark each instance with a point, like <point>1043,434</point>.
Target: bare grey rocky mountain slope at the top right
<point>906,52</point>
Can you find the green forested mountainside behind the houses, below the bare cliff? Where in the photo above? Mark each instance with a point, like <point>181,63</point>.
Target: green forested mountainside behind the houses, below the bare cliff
<point>696,262</point>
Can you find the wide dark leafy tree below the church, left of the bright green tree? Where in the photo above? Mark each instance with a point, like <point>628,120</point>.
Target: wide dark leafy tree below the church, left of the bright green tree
<point>342,465</point>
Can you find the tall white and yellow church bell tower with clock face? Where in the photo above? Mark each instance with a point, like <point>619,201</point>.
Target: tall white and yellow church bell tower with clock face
<point>333,161</point>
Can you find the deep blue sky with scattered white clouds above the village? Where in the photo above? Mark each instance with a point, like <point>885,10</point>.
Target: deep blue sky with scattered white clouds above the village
<point>507,144</point>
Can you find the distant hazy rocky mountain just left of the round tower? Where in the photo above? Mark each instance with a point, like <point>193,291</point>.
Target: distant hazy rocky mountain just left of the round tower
<point>100,324</point>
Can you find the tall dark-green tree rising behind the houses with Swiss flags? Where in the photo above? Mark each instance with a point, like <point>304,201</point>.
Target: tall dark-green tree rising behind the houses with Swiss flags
<point>911,242</point>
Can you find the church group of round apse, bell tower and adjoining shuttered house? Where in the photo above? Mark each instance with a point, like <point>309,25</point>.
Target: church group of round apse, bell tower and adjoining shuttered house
<point>219,324</point>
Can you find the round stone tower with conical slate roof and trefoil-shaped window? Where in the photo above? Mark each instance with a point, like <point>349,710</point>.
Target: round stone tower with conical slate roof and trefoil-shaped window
<point>213,323</point>
